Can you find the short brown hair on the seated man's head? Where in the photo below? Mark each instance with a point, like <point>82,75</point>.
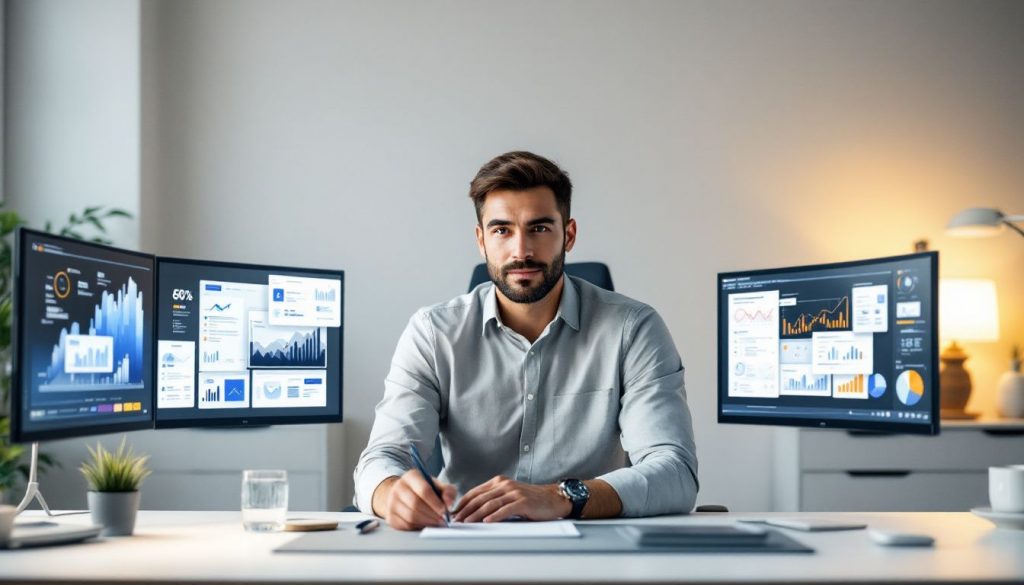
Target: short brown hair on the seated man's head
<point>521,171</point>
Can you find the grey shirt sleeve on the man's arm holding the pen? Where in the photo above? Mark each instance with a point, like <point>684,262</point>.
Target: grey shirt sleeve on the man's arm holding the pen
<point>408,414</point>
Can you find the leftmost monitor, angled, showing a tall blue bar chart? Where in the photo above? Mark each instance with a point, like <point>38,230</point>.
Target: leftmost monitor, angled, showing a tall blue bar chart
<point>83,339</point>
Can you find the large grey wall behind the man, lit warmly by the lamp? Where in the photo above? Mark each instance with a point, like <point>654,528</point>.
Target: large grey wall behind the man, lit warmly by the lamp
<point>702,137</point>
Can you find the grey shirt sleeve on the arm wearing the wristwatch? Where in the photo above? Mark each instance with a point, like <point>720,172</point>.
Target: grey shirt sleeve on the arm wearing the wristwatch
<point>656,424</point>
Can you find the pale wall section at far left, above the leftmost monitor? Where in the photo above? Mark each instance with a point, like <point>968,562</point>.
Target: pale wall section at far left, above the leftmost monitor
<point>73,110</point>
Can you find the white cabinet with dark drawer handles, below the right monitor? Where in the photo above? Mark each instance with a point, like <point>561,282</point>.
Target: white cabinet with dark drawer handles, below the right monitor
<point>832,471</point>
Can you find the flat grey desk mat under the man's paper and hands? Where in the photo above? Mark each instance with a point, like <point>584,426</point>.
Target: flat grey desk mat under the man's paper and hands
<point>600,538</point>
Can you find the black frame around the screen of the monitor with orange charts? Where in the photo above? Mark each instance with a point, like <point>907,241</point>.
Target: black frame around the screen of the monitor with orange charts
<point>930,429</point>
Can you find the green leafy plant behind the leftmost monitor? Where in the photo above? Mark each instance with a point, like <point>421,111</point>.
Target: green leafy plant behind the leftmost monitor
<point>91,220</point>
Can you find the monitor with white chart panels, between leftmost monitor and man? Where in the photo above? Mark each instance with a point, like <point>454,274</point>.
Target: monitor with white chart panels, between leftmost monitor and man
<point>244,345</point>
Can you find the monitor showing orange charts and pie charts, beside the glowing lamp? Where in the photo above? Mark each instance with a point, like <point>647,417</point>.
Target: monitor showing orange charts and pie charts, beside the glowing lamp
<point>846,346</point>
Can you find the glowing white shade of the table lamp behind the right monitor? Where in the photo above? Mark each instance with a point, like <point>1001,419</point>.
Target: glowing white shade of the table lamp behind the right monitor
<point>968,311</point>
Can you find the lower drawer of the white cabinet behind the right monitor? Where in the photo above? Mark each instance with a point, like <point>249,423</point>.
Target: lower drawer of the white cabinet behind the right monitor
<point>917,492</point>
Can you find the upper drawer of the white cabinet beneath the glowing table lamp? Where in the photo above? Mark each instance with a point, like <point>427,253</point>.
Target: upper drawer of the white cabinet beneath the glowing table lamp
<point>959,450</point>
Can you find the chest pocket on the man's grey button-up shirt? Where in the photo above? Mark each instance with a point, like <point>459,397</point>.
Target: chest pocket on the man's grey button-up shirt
<point>586,425</point>
